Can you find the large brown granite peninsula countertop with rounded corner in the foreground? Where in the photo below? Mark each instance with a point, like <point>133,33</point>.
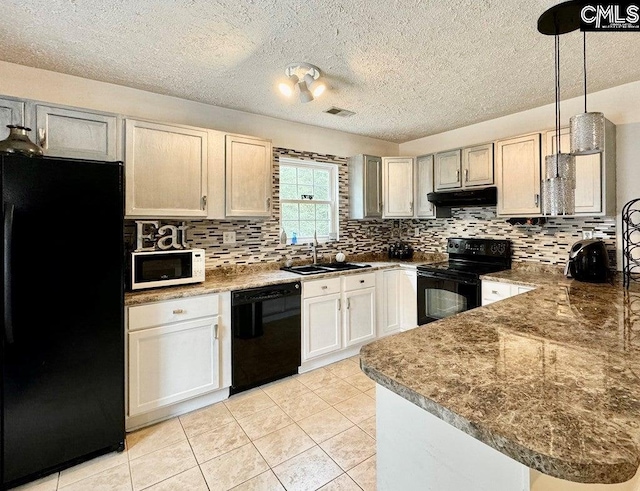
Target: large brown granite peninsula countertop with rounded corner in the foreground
<point>549,377</point>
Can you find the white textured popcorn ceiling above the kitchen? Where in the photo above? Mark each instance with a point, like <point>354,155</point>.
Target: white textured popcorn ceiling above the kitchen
<point>407,68</point>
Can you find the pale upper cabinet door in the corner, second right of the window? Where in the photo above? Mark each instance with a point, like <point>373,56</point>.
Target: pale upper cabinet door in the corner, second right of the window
<point>397,186</point>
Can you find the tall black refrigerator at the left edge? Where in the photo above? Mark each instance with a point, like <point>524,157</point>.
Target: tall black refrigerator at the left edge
<point>62,321</point>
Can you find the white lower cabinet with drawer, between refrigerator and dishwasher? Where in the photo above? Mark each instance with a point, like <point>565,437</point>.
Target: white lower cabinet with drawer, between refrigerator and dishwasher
<point>175,352</point>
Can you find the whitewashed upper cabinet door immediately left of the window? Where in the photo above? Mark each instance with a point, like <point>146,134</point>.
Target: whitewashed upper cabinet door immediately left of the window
<point>248,174</point>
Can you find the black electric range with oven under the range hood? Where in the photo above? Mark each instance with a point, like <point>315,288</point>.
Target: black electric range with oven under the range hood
<point>450,287</point>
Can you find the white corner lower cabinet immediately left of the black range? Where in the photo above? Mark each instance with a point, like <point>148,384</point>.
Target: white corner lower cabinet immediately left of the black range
<point>398,309</point>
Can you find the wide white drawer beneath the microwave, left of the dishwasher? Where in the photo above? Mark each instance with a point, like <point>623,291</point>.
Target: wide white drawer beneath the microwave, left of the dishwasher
<point>159,313</point>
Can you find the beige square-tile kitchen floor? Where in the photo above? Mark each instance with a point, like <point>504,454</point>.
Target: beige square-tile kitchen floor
<point>311,431</point>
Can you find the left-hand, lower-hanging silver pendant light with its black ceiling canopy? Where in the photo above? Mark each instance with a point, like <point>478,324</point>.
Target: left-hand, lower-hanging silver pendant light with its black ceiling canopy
<point>558,185</point>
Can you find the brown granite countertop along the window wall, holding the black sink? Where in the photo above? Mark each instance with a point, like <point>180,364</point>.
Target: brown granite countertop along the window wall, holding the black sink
<point>253,276</point>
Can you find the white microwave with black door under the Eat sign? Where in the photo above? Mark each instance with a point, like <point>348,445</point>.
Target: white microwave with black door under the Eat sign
<point>152,269</point>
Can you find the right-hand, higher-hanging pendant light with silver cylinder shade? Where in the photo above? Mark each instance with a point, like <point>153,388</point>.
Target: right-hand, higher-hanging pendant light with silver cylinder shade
<point>587,129</point>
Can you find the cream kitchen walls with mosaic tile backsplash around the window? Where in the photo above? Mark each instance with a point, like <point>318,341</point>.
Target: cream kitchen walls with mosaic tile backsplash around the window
<point>258,241</point>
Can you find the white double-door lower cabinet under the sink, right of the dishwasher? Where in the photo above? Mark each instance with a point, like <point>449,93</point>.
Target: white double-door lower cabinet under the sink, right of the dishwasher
<point>338,313</point>
